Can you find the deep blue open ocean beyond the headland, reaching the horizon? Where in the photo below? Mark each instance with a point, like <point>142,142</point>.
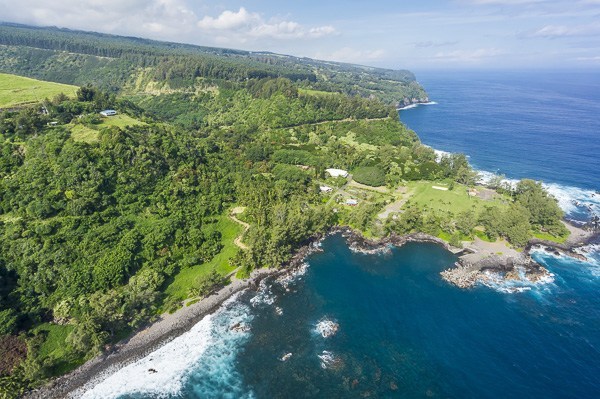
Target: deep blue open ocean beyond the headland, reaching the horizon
<point>539,125</point>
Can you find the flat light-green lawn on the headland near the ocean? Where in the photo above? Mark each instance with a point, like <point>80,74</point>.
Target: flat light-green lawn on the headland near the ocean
<point>456,201</point>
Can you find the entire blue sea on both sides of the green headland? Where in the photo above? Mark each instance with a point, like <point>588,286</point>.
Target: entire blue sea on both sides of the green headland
<point>354,325</point>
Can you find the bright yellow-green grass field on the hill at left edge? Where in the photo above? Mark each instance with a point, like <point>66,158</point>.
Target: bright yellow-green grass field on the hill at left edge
<point>17,90</point>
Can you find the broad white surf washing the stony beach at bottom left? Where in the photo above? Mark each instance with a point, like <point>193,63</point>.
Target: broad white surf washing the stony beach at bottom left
<point>164,372</point>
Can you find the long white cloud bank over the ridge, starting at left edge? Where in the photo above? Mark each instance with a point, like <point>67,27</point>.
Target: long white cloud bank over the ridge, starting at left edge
<point>160,19</point>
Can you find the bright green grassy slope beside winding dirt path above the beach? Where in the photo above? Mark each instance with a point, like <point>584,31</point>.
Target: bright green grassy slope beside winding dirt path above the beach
<point>185,279</point>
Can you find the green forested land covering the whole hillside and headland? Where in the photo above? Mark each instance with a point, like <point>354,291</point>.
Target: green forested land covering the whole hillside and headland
<point>107,222</point>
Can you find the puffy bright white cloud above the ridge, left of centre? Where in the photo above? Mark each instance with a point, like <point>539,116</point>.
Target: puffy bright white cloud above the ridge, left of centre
<point>251,24</point>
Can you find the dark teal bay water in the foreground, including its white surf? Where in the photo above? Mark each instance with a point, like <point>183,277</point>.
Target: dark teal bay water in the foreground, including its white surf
<point>403,333</point>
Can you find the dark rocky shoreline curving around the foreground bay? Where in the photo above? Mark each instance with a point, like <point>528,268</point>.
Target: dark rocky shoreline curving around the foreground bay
<point>169,326</point>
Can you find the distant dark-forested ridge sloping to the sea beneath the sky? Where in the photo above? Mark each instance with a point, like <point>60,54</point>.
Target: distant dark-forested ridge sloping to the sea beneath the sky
<point>117,62</point>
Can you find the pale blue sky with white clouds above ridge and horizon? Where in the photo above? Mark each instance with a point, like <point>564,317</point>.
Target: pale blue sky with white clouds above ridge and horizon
<point>427,34</point>
